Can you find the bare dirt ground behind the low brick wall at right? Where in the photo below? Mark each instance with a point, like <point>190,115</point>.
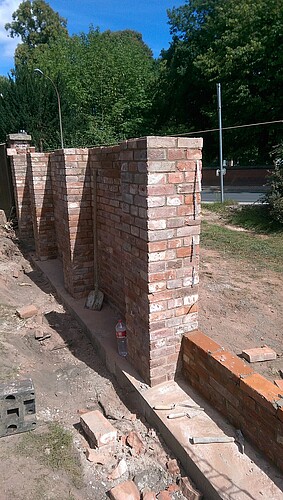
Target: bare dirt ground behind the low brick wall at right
<point>241,305</point>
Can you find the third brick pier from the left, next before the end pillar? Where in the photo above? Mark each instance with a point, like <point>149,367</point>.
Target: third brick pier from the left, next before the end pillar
<point>71,185</point>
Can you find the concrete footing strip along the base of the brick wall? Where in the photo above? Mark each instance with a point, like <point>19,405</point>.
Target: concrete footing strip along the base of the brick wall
<point>220,471</point>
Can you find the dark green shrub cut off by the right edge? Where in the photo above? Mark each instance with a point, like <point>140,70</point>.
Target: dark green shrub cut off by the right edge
<point>274,197</point>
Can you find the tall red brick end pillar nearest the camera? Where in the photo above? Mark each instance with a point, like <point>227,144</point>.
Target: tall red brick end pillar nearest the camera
<point>161,183</point>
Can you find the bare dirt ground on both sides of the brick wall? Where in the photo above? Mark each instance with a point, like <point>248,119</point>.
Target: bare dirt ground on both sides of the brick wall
<point>240,307</point>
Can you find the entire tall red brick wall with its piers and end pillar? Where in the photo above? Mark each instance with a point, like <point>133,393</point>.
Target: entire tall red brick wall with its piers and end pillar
<point>145,195</point>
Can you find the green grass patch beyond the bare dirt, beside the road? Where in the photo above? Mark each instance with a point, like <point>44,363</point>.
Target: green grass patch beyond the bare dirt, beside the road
<point>262,245</point>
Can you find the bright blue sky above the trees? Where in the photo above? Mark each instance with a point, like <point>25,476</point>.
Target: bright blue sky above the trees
<point>149,17</point>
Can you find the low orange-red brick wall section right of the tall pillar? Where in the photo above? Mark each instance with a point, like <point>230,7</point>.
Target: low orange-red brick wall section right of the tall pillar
<point>250,402</point>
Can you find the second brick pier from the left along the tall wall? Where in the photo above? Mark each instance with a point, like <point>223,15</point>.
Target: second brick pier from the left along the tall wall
<point>41,199</point>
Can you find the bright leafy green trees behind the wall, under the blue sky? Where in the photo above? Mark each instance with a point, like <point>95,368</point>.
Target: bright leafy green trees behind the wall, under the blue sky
<point>103,80</point>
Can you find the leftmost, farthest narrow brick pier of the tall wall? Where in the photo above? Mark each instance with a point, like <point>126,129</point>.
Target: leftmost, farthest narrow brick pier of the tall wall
<point>18,162</point>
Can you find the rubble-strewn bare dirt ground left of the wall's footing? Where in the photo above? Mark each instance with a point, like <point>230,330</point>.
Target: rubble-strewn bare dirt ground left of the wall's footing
<point>68,376</point>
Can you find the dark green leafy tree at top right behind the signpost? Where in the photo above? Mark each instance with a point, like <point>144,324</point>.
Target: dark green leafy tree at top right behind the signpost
<point>238,44</point>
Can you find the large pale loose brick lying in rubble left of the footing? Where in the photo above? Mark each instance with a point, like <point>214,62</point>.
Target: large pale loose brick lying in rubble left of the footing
<point>98,429</point>
